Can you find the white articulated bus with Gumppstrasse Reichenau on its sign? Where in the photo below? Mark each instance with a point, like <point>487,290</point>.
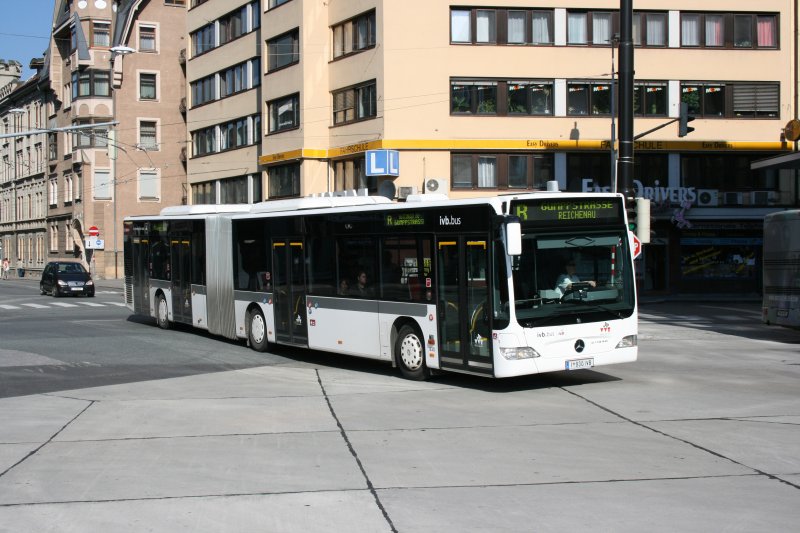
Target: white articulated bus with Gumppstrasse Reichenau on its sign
<point>430,284</point>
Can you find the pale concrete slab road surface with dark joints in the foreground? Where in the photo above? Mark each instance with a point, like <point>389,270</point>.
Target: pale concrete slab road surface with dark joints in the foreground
<point>701,434</point>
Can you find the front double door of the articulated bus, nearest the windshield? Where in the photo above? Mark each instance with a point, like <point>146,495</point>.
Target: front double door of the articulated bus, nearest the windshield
<point>462,275</point>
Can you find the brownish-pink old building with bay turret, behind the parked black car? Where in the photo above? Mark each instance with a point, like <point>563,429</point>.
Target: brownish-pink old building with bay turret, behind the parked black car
<point>116,65</point>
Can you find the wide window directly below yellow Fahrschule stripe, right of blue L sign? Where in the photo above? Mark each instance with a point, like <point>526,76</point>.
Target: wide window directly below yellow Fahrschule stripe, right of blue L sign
<point>501,171</point>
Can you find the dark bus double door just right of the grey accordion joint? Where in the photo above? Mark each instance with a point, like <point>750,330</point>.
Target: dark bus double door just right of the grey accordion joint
<point>289,296</point>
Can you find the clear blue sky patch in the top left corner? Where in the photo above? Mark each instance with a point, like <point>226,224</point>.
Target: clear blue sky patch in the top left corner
<point>25,30</point>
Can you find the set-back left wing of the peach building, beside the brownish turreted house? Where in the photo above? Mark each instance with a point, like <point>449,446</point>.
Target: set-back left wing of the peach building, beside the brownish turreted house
<point>224,76</point>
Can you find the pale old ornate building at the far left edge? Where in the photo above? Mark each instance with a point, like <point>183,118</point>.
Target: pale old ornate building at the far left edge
<point>23,185</point>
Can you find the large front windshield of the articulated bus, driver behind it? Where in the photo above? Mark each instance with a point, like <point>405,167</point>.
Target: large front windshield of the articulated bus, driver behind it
<point>560,279</point>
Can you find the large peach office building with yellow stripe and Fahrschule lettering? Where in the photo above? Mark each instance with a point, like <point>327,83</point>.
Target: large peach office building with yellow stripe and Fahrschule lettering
<point>472,98</point>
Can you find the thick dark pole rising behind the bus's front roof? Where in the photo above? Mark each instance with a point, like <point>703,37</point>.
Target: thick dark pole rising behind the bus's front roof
<point>625,161</point>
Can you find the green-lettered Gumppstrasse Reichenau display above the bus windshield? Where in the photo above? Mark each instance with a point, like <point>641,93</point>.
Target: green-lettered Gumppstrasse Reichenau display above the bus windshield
<point>575,210</point>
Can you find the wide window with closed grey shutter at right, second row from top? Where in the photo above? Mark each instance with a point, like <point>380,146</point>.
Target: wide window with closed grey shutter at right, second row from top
<point>732,100</point>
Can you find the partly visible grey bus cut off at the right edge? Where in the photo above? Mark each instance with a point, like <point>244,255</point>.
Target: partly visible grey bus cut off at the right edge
<point>782,269</point>
